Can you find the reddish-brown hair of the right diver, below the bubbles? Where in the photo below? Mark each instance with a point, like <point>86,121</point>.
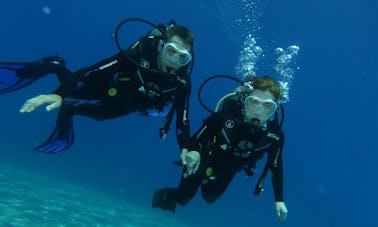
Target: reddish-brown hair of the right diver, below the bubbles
<point>266,83</point>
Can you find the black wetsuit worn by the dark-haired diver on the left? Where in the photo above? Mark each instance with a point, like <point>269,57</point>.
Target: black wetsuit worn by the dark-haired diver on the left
<point>117,86</point>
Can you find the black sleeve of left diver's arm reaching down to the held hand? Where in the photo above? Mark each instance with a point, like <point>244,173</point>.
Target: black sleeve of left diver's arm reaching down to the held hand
<point>182,116</point>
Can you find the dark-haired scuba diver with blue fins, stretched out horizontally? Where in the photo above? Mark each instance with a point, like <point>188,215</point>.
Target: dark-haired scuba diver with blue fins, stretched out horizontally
<point>149,77</point>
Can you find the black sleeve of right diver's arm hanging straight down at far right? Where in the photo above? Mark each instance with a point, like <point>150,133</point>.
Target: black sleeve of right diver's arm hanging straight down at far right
<point>276,168</point>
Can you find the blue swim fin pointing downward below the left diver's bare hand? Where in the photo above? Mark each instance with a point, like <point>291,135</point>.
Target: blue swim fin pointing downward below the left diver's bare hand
<point>63,135</point>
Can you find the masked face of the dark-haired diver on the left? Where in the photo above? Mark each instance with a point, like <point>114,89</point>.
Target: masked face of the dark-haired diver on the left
<point>174,54</point>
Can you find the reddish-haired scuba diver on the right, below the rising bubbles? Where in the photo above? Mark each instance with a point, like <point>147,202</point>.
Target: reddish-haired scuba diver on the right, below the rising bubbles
<point>231,140</point>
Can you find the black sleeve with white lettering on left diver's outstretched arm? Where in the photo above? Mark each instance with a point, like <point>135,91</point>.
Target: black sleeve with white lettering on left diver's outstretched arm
<point>68,85</point>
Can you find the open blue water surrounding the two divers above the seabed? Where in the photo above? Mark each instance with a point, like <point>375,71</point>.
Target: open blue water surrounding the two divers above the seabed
<point>330,124</point>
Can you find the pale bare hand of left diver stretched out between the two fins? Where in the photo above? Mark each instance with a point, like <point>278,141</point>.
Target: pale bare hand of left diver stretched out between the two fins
<point>52,101</point>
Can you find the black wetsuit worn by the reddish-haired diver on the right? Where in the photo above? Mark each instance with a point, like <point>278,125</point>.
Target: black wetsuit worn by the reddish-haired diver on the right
<point>227,145</point>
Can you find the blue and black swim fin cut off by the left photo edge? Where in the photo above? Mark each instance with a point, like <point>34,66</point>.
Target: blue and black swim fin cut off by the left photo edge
<point>16,75</point>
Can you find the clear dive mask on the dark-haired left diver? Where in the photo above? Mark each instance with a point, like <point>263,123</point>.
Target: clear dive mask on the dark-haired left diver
<point>176,54</point>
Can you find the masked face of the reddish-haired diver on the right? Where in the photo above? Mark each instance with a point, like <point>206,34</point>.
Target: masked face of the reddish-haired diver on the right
<point>259,107</point>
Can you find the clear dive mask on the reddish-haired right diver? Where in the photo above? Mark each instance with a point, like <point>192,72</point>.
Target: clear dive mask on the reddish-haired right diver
<point>254,105</point>
